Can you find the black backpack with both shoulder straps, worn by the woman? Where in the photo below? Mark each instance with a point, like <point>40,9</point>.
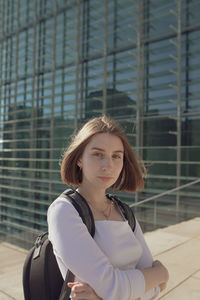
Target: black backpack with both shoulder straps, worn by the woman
<point>42,279</point>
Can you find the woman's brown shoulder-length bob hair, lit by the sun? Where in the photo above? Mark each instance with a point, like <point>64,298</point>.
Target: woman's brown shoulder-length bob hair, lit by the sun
<point>131,176</point>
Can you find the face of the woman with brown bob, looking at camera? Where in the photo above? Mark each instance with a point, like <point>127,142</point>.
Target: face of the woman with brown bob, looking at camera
<point>102,161</point>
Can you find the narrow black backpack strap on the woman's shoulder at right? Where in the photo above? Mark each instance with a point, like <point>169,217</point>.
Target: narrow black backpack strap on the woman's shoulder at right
<point>125,209</point>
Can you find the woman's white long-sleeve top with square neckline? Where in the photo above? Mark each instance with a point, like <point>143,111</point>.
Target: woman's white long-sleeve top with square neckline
<point>110,263</point>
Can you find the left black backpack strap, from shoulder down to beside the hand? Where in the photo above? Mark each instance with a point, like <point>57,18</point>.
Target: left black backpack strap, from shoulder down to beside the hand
<point>86,215</point>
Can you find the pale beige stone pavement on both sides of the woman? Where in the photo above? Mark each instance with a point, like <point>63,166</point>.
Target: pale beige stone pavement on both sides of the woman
<point>177,246</point>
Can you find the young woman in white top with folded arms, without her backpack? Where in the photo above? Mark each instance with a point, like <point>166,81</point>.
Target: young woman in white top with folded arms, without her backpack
<point>116,264</point>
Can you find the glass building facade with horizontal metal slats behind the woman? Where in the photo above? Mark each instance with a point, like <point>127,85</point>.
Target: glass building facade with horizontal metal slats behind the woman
<point>63,62</point>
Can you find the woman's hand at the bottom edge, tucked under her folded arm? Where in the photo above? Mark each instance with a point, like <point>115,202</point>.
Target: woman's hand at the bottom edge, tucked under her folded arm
<point>82,291</point>
